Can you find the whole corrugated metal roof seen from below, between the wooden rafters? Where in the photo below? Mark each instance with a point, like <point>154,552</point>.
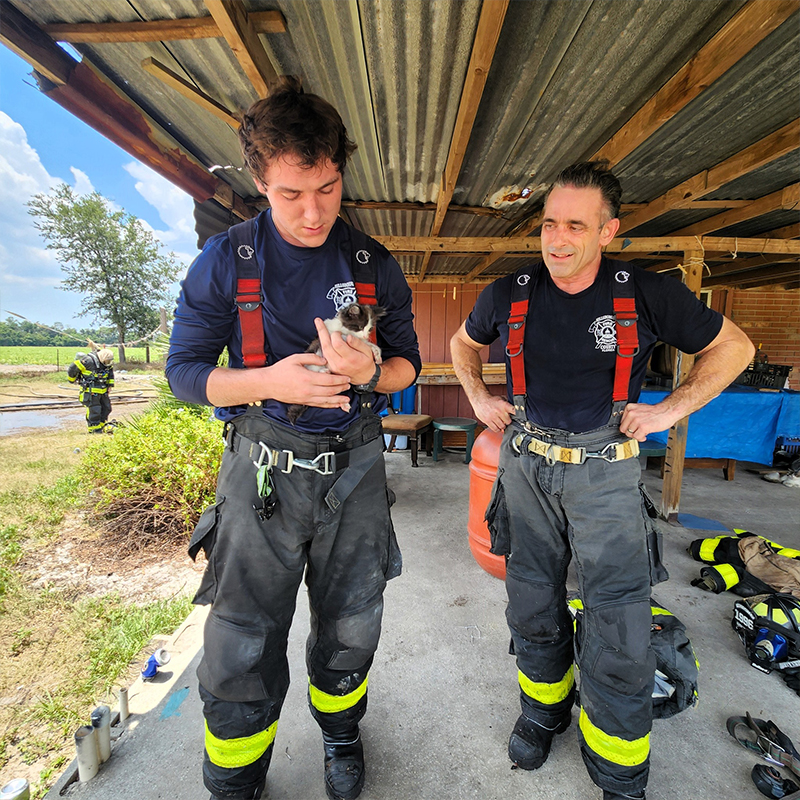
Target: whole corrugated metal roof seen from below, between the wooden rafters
<point>566,76</point>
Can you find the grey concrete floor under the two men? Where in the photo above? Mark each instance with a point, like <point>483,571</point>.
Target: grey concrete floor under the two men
<point>443,690</point>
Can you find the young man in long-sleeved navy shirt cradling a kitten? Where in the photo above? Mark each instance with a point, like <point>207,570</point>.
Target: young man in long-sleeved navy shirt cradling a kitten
<point>308,499</point>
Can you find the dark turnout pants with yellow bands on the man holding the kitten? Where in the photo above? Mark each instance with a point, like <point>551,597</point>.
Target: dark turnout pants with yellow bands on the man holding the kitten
<point>254,570</point>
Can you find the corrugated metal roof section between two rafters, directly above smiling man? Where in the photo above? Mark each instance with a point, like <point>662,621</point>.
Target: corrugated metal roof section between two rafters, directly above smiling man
<point>568,74</point>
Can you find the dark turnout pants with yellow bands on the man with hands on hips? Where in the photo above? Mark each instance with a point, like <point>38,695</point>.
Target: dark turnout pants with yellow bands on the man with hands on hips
<point>543,516</point>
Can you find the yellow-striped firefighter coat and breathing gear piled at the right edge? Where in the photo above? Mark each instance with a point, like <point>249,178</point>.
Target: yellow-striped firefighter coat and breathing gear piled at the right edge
<point>767,576</point>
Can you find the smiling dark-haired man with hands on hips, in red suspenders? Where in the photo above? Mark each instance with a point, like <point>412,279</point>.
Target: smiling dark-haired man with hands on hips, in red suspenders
<point>578,330</point>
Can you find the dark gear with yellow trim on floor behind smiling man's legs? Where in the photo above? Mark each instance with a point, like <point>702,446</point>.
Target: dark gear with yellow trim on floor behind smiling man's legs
<point>677,668</point>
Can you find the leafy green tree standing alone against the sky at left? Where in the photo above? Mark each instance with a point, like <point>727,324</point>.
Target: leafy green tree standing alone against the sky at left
<point>109,257</point>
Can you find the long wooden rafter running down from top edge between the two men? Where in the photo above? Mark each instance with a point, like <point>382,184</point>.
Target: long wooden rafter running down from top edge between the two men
<point>493,12</point>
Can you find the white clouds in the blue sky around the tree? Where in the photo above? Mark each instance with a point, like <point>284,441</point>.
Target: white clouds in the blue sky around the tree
<point>29,273</point>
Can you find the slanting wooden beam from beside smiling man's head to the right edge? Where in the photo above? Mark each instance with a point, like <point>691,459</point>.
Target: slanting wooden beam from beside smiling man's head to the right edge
<point>770,148</point>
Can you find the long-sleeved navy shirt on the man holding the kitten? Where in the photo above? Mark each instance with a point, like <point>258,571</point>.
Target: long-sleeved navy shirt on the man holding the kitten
<point>299,283</point>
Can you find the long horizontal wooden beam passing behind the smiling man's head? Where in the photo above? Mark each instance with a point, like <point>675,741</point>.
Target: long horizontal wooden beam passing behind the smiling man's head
<point>533,244</point>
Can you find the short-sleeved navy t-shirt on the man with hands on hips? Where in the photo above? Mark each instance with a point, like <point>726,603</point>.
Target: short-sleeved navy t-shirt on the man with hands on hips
<point>570,339</point>
